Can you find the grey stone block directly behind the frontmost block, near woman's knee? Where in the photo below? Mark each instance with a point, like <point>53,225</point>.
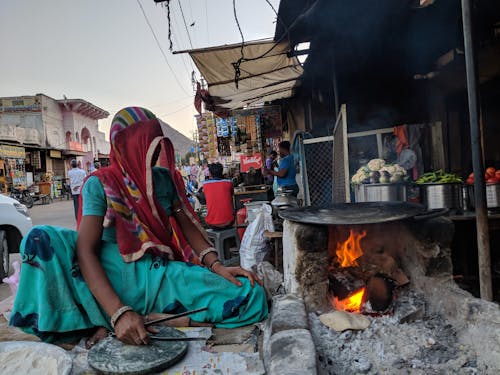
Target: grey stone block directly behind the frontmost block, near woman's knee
<point>288,312</point>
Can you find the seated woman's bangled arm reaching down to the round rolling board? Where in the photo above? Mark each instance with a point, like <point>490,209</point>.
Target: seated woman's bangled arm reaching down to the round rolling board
<point>130,327</point>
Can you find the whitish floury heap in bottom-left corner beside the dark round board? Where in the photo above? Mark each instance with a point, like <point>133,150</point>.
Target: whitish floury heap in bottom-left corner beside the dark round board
<point>33,358</point>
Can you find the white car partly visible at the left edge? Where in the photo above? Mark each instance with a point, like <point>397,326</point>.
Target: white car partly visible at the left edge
<point>15,222</point>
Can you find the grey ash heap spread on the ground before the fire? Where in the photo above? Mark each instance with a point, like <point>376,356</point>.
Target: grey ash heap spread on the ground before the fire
<point>410,341</point>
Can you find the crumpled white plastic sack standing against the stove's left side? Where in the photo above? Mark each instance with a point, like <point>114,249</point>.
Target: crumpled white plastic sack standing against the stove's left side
<point>254,247</point>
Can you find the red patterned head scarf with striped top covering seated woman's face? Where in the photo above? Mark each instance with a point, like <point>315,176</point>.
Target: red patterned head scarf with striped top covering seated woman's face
<point>142,225</point>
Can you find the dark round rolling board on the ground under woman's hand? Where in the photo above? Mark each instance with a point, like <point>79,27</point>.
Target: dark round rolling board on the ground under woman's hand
<point>111,356</point>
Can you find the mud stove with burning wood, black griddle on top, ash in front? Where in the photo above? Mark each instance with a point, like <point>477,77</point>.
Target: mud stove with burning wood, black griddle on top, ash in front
<point>391,262</point>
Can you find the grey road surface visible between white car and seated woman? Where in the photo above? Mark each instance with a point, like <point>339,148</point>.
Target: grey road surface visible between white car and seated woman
<point>59,213</point>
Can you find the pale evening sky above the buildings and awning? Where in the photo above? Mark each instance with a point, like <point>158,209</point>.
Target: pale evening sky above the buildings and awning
<point>104,52</point>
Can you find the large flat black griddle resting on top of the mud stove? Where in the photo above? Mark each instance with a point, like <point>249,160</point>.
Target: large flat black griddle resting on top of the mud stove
<point>354,213</point>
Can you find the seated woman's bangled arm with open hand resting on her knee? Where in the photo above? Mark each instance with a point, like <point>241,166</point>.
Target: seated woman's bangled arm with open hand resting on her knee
<point>199,243</point>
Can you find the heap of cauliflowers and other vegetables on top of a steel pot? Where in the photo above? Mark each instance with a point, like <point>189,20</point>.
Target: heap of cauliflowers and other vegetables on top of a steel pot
<point>378,172</point>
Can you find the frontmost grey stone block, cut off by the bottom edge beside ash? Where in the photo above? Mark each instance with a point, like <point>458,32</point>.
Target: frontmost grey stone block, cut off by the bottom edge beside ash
<point>292,353</point>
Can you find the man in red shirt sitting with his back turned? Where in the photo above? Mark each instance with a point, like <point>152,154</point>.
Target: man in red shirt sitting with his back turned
<point>219,196</point>
